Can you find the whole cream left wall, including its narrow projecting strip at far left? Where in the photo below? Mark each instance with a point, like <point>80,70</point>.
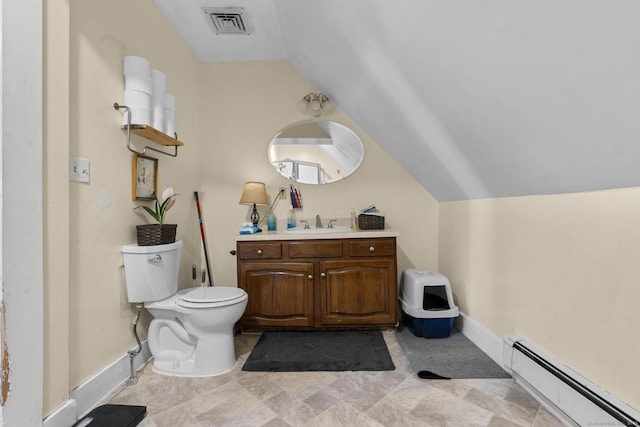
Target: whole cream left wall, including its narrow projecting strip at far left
<point>87,314</point>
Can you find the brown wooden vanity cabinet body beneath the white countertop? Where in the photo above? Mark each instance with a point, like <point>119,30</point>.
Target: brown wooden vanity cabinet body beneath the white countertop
<point>322,283</point>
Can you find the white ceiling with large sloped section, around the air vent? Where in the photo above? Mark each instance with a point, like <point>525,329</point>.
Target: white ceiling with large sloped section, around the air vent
<point>475,99</point>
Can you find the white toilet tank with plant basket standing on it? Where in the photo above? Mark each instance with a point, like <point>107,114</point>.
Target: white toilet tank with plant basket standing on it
<point>151,272</point>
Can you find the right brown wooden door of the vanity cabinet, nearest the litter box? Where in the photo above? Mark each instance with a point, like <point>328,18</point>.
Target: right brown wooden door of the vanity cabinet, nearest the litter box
<point>357,292</point>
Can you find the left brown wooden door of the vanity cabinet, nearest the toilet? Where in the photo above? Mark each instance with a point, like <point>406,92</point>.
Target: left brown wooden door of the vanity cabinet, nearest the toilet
<point>280,294</point>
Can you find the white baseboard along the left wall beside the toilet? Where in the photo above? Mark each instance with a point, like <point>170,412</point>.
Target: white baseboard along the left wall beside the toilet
<point>92,392</point>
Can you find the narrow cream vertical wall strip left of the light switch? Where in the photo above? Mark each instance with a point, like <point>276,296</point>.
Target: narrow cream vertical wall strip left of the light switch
<point>56,124</point>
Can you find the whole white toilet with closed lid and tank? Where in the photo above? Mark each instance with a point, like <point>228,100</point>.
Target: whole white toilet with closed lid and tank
<point>191,333</point>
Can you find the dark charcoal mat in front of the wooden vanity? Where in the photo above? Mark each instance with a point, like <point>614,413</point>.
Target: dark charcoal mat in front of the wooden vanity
<point>297,351</point>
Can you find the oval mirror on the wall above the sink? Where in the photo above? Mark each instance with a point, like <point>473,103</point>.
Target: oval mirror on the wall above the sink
<point>316,152</point>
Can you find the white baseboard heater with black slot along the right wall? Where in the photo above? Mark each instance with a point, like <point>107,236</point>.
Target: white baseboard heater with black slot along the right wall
<point>565,392</point>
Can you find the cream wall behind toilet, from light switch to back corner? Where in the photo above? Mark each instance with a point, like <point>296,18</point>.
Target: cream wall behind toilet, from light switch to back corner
<point>101,213</point>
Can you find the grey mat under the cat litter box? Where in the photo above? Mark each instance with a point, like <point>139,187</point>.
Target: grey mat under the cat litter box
<point>453,357</point>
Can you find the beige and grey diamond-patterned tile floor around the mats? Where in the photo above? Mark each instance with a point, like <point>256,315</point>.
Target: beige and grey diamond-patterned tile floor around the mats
<point>389,398</point>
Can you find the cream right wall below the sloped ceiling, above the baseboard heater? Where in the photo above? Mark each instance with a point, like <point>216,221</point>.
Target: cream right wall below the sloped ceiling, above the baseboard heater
<point>560,271</point>
